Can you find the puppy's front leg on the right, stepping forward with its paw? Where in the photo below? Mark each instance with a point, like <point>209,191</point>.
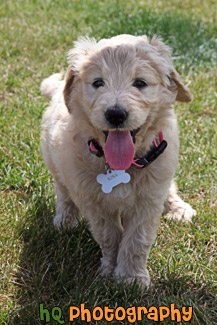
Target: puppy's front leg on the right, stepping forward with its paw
<point>138,236</point>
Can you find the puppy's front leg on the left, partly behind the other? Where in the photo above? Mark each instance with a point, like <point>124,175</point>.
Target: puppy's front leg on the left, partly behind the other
<point>107,231</point>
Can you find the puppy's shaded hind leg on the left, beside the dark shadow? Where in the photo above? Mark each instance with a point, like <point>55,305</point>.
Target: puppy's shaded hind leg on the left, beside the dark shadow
<point>67,213</point>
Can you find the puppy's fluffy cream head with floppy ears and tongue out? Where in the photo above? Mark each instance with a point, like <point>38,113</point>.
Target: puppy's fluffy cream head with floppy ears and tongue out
<point>122,85</point>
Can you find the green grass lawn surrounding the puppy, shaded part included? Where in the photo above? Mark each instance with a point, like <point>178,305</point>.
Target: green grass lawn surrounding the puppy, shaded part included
<point>40,265</point>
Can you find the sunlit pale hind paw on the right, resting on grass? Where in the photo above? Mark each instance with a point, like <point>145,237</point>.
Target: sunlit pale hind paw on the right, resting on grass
<point>181,211</point>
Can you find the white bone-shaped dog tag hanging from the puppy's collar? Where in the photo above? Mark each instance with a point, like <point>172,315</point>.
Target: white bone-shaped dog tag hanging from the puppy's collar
<point>112,178</point>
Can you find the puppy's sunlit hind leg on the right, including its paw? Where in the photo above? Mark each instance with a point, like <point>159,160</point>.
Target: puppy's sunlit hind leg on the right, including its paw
<point>176,208</point>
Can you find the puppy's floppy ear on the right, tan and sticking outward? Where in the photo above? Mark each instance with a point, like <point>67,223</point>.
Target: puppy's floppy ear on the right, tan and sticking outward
<point>183,93</point>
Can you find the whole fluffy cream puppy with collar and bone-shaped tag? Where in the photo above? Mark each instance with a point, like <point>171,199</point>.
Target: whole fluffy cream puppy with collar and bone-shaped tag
<point>110,140</point>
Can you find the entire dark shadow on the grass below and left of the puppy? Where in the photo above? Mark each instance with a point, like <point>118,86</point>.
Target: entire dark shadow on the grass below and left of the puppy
<point>59,268</point>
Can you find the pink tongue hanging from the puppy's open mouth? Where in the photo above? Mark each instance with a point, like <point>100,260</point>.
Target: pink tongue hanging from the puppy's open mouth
<point>119,150</point>
